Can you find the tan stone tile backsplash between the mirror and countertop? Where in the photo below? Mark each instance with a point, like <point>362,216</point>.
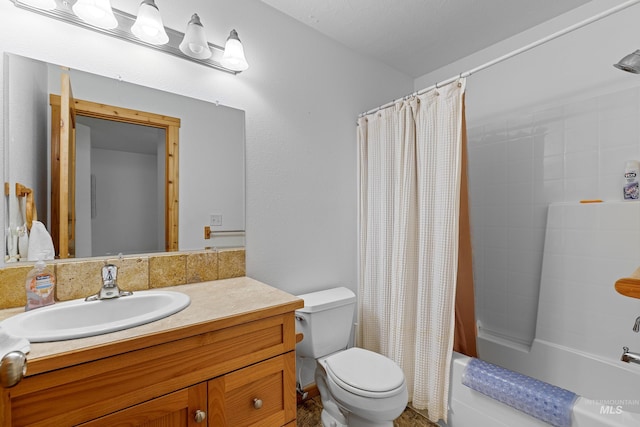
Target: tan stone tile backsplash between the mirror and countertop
<point>81,278</point>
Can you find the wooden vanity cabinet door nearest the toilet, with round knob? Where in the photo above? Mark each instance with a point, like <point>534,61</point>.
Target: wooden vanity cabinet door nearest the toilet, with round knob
<point>263,394</point>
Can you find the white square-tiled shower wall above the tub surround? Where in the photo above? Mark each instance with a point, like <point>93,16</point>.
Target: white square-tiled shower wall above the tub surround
<point>518,164</point>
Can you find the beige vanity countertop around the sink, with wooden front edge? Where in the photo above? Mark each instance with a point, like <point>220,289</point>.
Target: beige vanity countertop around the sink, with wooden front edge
<point>214,305</point>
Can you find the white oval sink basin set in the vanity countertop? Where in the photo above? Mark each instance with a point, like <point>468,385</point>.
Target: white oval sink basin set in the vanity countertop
<point>80,318</point>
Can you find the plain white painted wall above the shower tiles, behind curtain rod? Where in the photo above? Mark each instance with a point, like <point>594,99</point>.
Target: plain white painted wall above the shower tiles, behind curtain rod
<point>564,67</point>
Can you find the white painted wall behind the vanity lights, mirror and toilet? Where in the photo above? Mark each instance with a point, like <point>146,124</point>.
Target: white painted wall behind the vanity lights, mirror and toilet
<point>301,95</point>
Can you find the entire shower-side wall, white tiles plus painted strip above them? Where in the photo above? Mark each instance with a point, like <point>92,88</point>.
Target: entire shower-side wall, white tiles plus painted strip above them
<point>551,125</point>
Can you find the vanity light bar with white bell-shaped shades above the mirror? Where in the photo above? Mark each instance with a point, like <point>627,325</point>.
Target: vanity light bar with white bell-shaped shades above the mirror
<point>192,46</point>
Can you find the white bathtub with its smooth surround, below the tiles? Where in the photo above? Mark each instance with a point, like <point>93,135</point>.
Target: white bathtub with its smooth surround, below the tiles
<point>582,324</point>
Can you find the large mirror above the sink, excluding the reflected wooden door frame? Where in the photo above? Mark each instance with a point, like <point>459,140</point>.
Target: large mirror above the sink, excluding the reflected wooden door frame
<point>211,164</point>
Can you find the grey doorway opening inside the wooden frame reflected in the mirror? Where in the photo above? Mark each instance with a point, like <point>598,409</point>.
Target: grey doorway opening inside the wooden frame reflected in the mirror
<point>112,155</point>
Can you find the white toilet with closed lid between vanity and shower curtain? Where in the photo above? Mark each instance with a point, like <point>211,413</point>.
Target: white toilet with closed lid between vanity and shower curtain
<point>358,387</point>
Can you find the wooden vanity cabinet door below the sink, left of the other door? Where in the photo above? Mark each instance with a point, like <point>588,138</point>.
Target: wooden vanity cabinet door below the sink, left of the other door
<point>183,408</point>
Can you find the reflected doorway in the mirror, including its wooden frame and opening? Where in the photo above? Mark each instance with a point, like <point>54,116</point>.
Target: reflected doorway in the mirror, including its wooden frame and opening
<point>126,199</point>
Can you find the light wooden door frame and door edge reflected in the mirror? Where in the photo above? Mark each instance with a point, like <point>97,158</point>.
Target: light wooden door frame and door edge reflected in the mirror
<point>64,111</point>
